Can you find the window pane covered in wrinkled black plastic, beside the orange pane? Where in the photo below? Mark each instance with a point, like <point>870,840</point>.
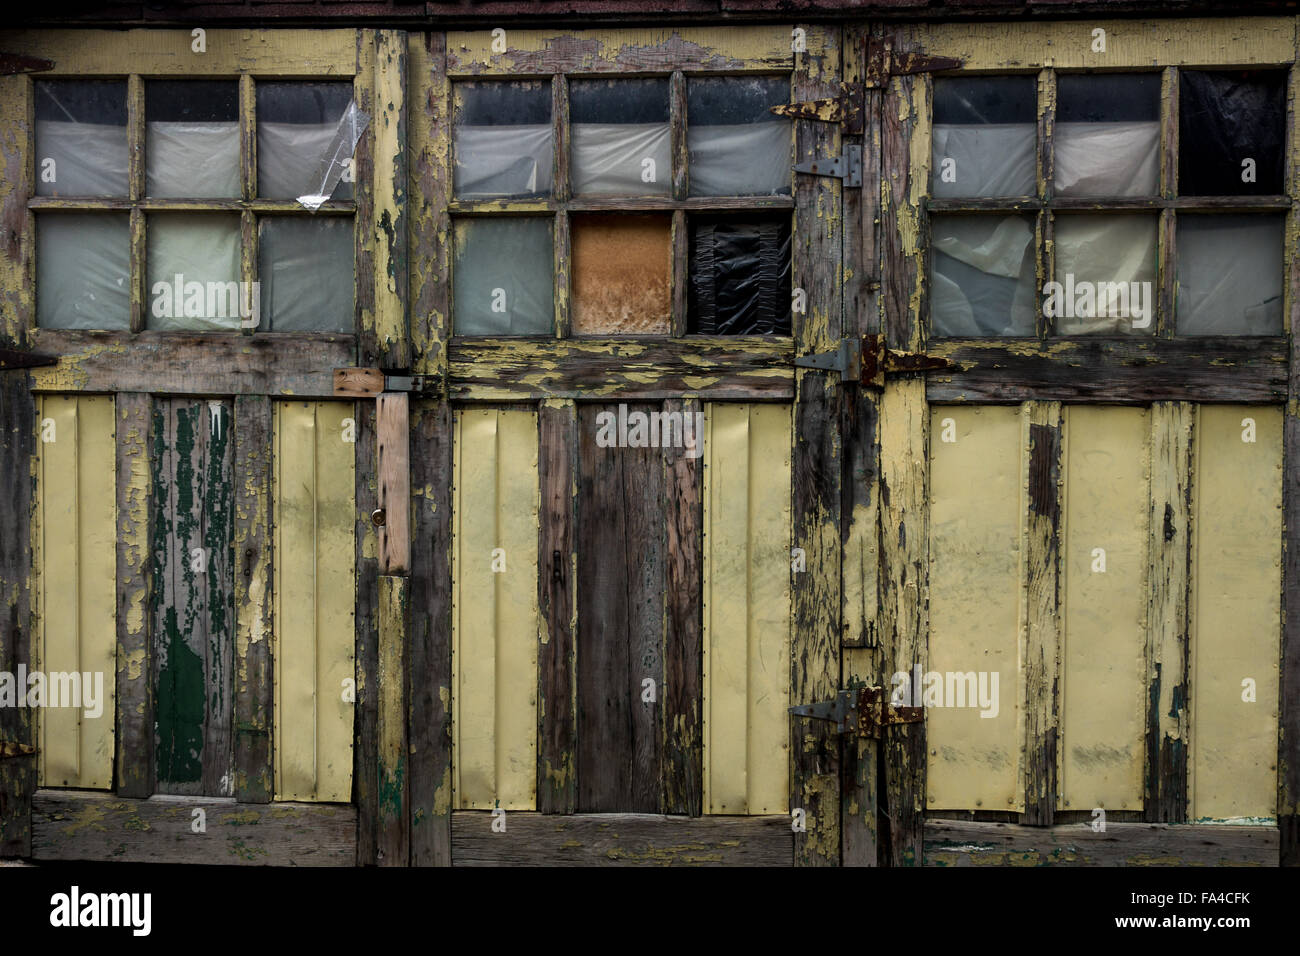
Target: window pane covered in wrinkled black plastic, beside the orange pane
<point>740,276</point>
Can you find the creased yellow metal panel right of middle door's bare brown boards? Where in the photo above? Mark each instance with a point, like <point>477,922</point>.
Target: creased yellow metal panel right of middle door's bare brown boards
<point>747,608</point>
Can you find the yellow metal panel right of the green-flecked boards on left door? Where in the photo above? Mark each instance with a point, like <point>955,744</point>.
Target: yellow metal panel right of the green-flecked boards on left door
<point>314,592</point>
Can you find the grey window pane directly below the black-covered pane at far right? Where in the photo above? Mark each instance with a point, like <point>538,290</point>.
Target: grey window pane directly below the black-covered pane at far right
<point>1230,275</point>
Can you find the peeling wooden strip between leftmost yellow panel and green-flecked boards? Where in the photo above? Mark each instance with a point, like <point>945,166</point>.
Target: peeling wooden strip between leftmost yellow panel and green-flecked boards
<point>135,598</point>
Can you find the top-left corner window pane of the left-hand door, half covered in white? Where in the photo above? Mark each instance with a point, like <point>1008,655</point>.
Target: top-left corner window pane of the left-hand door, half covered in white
<point>81,139</point>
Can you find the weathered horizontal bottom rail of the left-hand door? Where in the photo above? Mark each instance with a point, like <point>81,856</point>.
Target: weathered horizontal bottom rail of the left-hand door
<point>70,825</point>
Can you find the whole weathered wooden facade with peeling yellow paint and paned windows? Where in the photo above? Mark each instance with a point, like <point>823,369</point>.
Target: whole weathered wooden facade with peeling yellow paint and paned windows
<point>383,573</point>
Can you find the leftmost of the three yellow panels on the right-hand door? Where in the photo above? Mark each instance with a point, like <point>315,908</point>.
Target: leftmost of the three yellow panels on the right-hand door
<point>976,579</point>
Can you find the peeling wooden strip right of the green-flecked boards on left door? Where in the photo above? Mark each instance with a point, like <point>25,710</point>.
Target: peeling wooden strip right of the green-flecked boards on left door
<point>253,431</point>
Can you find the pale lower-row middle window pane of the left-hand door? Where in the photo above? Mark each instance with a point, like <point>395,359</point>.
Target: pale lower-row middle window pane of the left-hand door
<point>194,272</point>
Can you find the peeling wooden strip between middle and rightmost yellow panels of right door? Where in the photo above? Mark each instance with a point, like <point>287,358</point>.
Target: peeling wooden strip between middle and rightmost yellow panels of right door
<point>1168,637</point>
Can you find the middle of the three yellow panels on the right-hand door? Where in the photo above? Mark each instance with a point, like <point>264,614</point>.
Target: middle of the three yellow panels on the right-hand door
<point>1103,681</point>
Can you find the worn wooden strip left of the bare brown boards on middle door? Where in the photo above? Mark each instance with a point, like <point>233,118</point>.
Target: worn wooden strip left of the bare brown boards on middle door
<point>557,586</point>
